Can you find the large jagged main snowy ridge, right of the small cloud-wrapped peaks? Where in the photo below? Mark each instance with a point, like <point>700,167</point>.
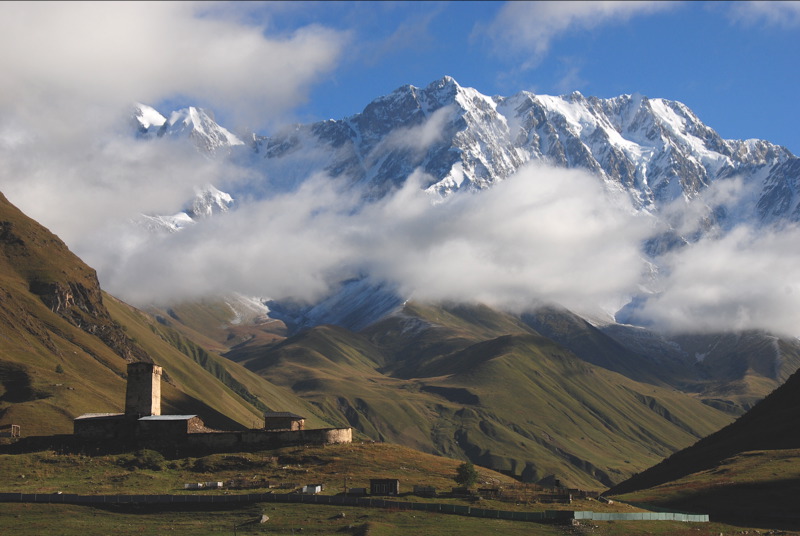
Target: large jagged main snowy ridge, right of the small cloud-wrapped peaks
<point>656,150</point>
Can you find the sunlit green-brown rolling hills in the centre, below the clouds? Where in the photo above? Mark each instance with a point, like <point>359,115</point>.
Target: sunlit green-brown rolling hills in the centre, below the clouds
<point>520,403</point>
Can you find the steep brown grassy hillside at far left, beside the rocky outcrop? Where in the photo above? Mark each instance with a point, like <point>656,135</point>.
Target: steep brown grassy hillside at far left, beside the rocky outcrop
<point>36,341</point>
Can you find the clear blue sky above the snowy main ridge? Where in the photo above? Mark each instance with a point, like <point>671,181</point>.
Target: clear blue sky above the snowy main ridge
<point>735,64</point>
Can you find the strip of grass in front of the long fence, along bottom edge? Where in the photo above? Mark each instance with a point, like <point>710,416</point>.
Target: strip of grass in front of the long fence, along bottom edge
<point>66,520</point>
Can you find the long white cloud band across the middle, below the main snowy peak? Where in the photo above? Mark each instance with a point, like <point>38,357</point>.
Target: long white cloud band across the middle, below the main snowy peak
<point>539,236</point>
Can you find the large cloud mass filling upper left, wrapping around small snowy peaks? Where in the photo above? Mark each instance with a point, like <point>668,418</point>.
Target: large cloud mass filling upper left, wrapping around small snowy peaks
<point>71,72</point>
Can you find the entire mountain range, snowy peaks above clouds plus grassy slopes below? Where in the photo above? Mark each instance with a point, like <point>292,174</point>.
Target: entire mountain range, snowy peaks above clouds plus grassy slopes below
<point>543,394</point>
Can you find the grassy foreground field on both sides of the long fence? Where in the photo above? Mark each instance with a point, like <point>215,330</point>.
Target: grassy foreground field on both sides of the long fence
<point>333,466</point>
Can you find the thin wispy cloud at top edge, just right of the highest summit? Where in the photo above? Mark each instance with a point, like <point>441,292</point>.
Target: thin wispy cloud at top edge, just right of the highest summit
<point>527,28</point>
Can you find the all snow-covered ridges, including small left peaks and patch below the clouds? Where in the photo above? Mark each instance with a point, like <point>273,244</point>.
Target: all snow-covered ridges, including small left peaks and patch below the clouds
<point>656,150</point>
